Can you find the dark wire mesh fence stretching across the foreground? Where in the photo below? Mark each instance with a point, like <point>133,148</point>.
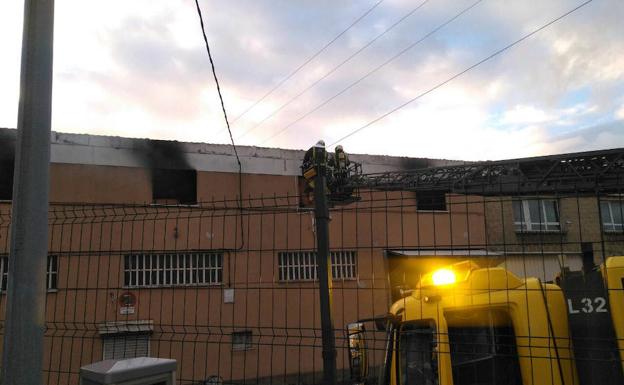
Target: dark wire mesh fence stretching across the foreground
<point>480,289</point>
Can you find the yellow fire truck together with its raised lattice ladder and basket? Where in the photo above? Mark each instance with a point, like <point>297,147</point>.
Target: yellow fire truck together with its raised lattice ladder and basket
<point>467,324</point>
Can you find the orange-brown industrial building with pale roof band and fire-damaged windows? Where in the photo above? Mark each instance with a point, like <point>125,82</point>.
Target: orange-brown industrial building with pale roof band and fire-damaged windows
<point>163,249</point>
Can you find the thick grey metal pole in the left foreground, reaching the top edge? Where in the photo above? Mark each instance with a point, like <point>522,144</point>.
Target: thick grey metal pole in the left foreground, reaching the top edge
<point>25,313</point>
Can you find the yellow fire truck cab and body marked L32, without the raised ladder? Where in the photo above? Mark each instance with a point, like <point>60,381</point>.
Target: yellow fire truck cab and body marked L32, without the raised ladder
<point>466,325</point>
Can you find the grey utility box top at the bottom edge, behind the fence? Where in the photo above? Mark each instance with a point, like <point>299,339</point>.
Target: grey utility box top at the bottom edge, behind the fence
<point>131,371</point>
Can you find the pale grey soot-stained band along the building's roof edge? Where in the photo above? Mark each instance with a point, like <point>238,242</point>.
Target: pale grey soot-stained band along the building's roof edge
<point>131,152</point>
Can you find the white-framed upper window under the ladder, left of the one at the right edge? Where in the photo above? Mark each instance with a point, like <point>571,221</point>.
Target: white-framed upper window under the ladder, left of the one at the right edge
<point>526,224</point>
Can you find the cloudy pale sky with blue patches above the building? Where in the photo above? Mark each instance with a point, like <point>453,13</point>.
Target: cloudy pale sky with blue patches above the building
<point>139,69</point>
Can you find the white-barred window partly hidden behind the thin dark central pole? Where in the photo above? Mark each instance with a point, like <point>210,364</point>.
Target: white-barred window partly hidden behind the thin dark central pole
<point>301,265</point>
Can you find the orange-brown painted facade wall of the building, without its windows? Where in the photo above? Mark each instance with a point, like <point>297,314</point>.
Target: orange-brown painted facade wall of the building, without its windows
<point>193,324</point>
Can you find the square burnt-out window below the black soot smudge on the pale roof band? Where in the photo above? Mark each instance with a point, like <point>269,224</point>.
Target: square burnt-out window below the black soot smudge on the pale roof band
<point>174,186</point>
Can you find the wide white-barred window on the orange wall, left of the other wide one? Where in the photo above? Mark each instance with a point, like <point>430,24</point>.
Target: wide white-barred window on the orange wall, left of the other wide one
<point>173,269</point>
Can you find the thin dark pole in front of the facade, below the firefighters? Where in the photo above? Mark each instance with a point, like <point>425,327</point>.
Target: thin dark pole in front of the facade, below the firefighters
<point>321,211</point>
